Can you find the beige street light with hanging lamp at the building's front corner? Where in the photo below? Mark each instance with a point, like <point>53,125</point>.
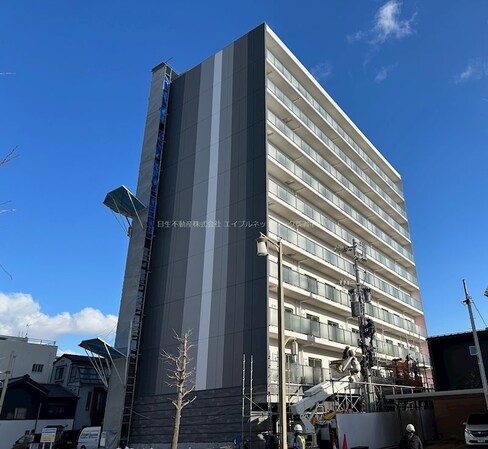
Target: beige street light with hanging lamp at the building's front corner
<point>262,250</point>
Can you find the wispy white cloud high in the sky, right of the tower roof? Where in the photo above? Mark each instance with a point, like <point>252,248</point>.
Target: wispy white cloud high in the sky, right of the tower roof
<point>387,25</point>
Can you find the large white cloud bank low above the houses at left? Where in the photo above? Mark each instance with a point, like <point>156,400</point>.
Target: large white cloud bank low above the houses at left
<point>19,313</point>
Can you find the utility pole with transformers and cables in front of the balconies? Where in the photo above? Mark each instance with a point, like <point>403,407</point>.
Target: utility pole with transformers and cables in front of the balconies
<point>359,297</point>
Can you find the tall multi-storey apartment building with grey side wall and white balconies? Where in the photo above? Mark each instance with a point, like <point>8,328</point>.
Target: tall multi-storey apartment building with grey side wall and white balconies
<point>248,142</point>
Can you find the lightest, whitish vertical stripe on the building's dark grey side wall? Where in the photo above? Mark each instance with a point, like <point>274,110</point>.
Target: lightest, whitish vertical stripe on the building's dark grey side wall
<point>208,258</point>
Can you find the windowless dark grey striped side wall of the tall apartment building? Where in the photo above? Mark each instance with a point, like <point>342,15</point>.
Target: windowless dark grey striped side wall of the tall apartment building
<point>205,276</point>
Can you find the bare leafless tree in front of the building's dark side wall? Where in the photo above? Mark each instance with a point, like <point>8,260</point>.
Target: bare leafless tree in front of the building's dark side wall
<point>182,378</point>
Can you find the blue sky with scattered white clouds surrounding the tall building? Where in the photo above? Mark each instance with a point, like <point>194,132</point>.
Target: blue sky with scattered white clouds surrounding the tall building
<point>74,82</point>
